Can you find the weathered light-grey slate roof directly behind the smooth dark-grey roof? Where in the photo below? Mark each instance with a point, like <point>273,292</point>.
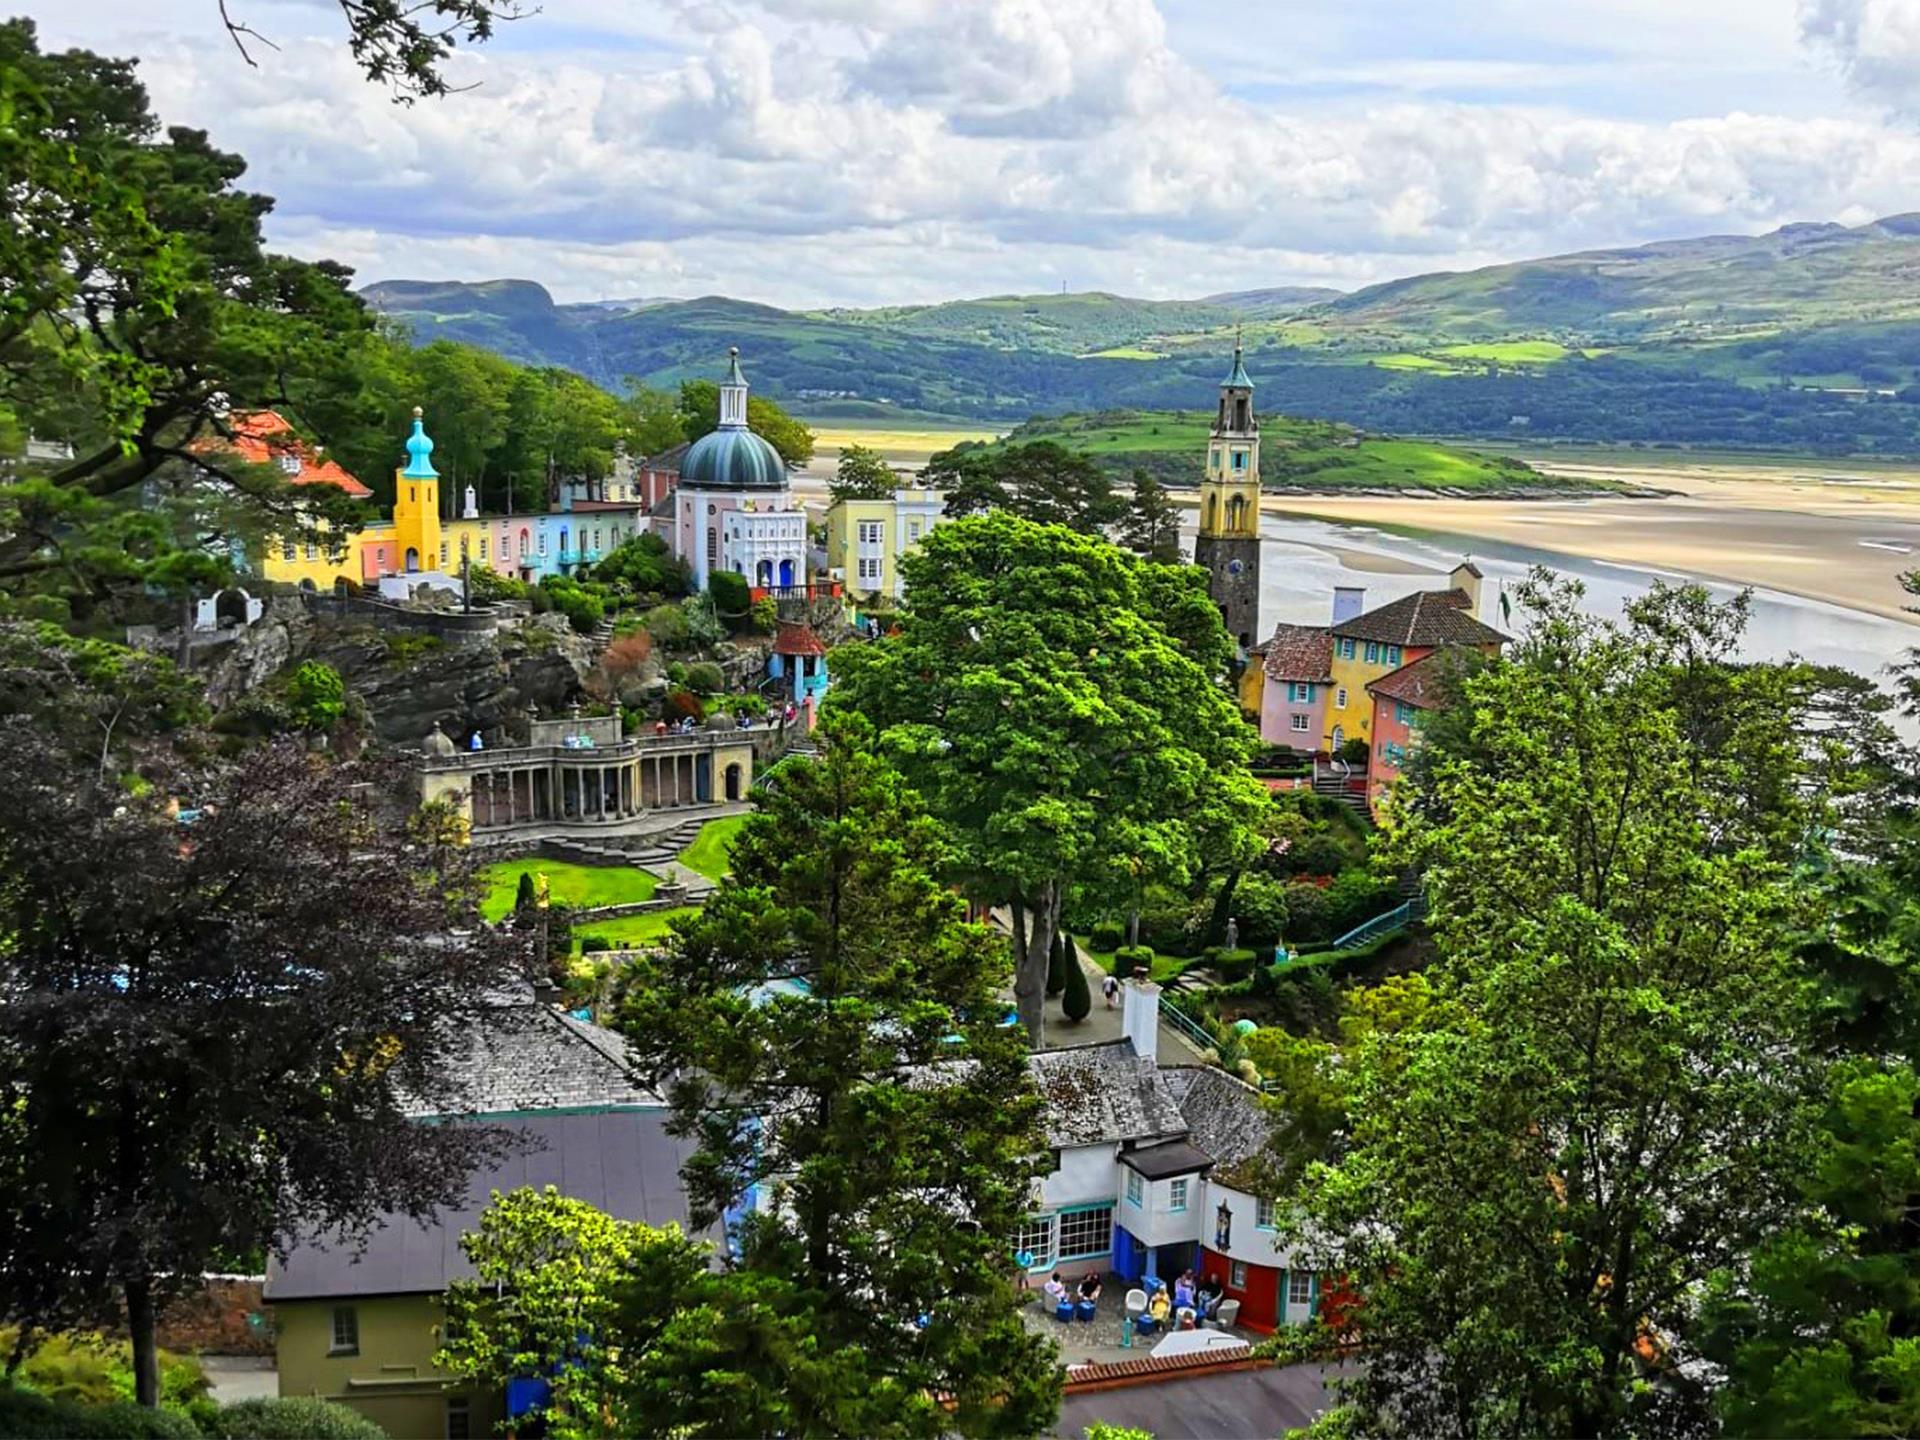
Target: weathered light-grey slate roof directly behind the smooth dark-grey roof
<point>531,1057</point>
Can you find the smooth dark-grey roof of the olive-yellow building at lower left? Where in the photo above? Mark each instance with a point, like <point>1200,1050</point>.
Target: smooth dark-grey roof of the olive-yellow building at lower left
<point>617,1161</point>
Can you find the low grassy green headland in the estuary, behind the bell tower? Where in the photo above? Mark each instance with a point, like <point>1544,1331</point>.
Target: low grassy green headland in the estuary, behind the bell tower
<point>1307,456</point>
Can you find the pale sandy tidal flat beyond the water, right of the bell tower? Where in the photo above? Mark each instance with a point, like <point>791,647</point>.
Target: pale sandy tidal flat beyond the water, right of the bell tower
<point>1806,531</point>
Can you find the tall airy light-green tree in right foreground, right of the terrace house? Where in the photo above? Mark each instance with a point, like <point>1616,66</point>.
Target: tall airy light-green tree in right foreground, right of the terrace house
<point>1614,1061</point>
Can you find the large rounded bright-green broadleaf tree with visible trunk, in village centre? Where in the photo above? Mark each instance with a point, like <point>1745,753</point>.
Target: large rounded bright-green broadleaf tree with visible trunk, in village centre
<point>1063,709</point>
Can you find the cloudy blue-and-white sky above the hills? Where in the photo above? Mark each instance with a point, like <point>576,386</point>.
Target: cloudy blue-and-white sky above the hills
<point>873,153</point>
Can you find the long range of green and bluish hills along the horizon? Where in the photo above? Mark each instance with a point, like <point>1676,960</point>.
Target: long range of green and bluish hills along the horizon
<point>1800,339</point>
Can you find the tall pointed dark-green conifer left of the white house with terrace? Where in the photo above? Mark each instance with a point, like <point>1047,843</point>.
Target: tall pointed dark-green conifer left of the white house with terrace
<point>882,1115</point>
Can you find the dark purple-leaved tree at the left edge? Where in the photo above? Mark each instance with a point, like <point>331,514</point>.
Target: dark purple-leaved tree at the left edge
<point>216,1040</point>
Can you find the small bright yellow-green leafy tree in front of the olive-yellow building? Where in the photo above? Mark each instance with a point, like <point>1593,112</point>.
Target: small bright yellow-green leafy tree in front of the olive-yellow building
<point>554,1295</point>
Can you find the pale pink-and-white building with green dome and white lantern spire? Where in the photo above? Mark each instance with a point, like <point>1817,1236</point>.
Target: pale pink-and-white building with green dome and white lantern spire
<point>734,510</point>
